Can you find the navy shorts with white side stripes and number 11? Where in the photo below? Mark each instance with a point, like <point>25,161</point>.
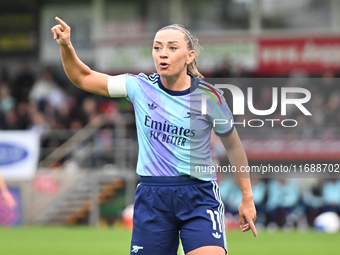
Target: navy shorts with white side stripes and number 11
<point>169,208</point>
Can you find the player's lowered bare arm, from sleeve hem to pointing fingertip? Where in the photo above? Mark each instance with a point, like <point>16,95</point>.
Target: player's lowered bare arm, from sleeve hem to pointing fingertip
<point>238,158</point>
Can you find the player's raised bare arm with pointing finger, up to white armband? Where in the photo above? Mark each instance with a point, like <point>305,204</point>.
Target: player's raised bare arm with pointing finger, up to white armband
<point>79,73</point>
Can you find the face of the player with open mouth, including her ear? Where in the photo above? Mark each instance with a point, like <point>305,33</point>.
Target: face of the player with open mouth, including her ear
<point>170,53</point>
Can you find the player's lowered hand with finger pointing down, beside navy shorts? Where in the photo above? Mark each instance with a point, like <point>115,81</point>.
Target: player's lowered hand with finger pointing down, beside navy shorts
<point>248,212</point>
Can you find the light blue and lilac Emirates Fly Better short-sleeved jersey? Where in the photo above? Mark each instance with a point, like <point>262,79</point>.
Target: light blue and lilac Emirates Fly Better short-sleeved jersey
<point>174,127</point>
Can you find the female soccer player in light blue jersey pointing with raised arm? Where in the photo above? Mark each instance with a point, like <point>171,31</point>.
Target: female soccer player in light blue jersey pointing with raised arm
<point>177,196</point>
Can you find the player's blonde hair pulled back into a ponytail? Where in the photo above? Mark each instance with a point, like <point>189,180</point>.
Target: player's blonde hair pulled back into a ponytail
<point>193,44</point>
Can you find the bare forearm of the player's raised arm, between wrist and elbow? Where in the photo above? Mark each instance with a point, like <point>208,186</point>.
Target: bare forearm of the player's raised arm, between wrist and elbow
<point>74,68</point>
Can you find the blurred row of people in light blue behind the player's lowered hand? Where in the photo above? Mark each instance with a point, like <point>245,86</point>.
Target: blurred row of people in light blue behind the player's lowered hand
<point>285,203</point>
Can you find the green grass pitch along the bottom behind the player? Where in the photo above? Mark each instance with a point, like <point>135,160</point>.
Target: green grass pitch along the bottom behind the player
<point>116,241</point>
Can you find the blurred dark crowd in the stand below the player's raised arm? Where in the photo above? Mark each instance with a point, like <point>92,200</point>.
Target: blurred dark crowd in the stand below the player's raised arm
<point>47,103</point>
